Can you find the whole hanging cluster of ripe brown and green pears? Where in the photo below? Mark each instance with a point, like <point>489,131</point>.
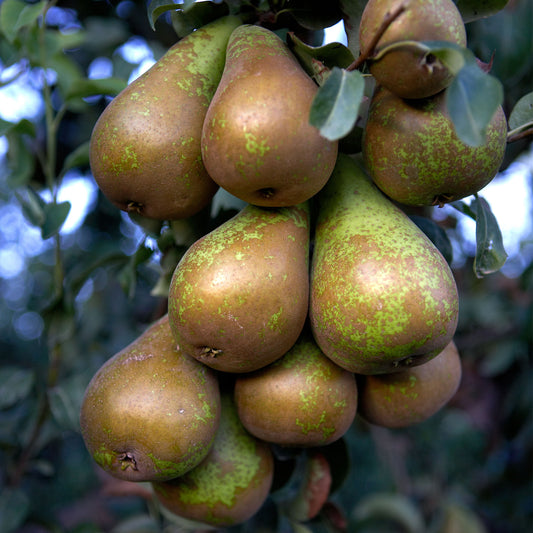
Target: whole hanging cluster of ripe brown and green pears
<point>318,302</point>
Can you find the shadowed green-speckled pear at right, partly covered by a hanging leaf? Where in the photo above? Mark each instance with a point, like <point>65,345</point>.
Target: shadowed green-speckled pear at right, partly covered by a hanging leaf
<point>415,157</point>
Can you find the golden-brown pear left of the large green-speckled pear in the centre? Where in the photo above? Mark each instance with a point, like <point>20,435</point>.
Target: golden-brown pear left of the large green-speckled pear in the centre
<point>238,298</point>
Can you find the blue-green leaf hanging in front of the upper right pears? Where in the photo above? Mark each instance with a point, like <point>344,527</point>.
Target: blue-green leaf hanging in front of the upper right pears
<point>471,100</point>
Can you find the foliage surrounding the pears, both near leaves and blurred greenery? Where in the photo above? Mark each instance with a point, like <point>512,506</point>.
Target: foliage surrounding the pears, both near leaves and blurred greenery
<point>79,297</point>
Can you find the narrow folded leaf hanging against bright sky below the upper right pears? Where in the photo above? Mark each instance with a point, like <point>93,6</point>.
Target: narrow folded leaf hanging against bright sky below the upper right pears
<point>490,252</point>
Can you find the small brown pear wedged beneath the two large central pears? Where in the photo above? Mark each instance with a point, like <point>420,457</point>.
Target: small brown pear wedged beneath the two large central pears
<point>303,399</point>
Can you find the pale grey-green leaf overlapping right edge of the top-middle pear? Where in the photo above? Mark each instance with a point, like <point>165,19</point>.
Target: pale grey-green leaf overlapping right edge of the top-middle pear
<point>335,107</point>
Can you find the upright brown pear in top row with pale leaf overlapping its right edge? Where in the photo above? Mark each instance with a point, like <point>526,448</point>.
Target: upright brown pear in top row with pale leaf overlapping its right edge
<point>257,142</point>
